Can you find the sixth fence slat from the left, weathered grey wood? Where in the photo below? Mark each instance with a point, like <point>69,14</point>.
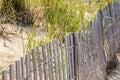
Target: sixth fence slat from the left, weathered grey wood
<point>34,64</point>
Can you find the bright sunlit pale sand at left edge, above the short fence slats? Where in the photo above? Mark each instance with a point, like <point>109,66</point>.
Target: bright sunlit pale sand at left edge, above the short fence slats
<point>11,47</point>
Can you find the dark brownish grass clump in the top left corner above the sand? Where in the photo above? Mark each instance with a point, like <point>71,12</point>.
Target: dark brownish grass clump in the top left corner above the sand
<point>17,11</point>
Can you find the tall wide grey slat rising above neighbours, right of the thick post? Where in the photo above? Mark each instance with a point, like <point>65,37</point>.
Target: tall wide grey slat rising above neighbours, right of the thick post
<point>98,29</point>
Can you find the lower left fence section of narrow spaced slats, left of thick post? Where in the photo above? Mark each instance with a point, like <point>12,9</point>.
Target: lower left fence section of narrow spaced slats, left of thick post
<point>42,63</point>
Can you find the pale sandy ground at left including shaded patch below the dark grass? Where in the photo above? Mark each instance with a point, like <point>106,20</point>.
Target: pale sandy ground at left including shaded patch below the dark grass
<point>11,43</point>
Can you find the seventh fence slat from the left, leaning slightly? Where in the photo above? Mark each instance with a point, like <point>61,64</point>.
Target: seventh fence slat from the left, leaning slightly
<point>39,63</point>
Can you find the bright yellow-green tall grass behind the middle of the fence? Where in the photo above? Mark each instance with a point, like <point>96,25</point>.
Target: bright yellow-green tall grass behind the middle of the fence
<point>63,16</point>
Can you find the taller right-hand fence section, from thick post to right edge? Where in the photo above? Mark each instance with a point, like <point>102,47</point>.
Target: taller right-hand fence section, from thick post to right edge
<point>91,53</point>
